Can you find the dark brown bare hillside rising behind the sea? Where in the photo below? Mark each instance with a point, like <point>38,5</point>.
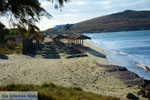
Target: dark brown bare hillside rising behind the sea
<point>128,20</point>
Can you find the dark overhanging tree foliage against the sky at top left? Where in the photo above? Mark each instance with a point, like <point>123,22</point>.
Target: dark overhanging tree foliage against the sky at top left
<point>25,13</point>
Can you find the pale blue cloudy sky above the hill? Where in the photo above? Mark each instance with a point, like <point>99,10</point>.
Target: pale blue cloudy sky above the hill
<point>80,10</point>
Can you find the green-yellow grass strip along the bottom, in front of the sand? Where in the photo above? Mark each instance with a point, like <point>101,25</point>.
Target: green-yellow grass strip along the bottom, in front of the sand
<point>50,91</point>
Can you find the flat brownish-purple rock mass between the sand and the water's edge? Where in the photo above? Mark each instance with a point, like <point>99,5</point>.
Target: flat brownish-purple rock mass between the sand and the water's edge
<point>129,78</point>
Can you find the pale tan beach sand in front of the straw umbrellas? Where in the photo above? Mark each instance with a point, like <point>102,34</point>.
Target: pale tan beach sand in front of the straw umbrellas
<point>74,72</point>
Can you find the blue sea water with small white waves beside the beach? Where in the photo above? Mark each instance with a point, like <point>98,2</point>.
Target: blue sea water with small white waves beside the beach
<point>125,49</point>
